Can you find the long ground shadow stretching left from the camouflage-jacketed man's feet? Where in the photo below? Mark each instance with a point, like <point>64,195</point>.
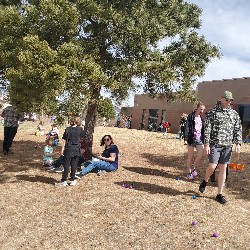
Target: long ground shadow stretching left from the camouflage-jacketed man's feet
<point>156,189</point>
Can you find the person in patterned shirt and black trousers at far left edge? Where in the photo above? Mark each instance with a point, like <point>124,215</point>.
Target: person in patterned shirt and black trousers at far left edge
<point>11,122</point>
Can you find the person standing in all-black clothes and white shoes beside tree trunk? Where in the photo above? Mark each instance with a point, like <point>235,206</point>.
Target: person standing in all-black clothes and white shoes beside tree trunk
<point>71,149</point>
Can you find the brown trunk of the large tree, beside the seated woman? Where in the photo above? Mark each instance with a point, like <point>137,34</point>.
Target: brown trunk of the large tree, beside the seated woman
<point>90,119</point>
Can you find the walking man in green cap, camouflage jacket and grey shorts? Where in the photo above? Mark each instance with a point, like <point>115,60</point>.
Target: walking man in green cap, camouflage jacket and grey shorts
<point>222,129</point>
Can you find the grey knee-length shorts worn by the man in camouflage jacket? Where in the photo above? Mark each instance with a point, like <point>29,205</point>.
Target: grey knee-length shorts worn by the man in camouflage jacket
<point>220,154</point>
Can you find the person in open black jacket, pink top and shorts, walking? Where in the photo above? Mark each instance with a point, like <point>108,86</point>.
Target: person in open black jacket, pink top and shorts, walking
<point>194,136</point>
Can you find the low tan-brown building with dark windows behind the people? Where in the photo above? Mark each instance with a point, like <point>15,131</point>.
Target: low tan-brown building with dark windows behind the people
<point>153,111</point>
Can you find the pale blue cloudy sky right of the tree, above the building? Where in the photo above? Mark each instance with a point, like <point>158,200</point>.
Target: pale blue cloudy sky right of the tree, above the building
<point>225,23</point>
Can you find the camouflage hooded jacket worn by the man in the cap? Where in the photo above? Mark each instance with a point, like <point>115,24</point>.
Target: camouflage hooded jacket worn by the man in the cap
<point>222,126</point>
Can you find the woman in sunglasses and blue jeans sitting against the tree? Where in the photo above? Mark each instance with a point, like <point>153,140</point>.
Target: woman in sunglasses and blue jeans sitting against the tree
<point>107,161</point>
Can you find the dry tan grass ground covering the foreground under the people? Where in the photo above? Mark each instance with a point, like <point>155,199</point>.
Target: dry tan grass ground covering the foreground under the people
<point>99,213</point>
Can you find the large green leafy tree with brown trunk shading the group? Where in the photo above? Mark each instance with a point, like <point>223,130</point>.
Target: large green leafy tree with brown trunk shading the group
<point>95,45</point>
